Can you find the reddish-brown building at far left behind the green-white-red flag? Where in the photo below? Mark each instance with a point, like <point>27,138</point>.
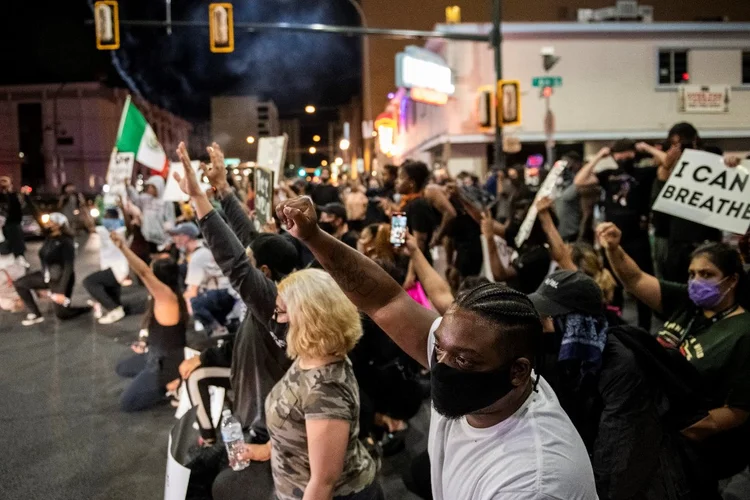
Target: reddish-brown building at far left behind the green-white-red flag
<point>58,133</point>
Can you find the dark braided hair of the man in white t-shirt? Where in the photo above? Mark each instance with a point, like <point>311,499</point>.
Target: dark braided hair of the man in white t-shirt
<point>520,325</point>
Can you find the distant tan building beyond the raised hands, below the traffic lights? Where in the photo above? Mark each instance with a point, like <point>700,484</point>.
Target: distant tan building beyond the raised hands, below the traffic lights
<point>237,122</point>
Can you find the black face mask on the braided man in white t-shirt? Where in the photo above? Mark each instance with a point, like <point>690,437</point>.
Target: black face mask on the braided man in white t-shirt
<point>456,393</point>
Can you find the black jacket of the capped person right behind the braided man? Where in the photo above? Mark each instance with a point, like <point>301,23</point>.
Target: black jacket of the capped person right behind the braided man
<point>630,415</point>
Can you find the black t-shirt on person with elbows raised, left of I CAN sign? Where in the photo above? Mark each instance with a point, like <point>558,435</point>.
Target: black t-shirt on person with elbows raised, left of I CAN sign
<point>627,196</point>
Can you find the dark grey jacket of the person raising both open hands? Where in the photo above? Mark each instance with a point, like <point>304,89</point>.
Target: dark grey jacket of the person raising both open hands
<point>257,362</point>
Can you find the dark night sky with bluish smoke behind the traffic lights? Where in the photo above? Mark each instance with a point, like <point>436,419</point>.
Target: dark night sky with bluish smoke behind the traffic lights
<point>178,72</point>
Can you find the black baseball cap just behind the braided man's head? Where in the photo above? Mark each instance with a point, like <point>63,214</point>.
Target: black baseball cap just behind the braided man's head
<point>565,292</point>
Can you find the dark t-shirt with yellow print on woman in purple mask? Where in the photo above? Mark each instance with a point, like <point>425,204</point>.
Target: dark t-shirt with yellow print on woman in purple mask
<point>719,350</point>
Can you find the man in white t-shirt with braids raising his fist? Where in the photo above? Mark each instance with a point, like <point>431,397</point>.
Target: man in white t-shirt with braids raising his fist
<point>497,431</point>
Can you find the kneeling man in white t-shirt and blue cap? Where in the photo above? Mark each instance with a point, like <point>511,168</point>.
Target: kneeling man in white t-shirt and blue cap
<point>208,292</point>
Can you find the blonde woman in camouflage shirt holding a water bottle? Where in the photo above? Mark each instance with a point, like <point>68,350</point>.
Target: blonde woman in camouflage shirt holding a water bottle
<point>313,411</point>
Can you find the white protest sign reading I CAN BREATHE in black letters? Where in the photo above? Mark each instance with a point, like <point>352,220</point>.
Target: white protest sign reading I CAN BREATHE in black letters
<point>703,189</point>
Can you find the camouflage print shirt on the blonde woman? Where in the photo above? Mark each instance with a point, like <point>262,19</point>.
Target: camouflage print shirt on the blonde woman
<point>328,392</point>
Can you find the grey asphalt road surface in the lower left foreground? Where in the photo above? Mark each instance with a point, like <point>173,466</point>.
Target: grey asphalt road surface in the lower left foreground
<point>62,434</point>
